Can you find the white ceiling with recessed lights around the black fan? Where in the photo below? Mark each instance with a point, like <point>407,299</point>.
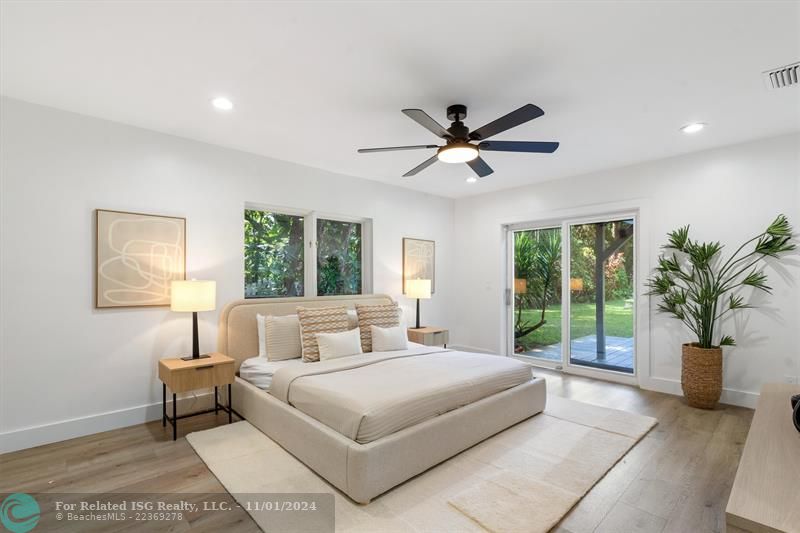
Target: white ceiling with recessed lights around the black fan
<point>312,82</point>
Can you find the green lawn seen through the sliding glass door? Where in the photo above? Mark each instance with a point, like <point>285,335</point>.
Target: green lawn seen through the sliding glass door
<point>618,321</point>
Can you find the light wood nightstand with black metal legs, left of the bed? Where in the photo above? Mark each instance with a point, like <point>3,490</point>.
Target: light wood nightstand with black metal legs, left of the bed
<point>181,376</point>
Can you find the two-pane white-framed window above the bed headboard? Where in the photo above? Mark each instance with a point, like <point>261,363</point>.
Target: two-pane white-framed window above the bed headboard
<point>278,263</point>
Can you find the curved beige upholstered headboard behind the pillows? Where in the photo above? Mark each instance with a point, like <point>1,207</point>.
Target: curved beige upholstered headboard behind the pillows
<point>238,334</point>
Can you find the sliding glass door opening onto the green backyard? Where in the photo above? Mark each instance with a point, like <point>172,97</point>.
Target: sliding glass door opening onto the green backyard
<point>572,297</point>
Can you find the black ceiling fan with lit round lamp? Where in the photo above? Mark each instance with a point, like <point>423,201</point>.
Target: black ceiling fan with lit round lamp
<point>460,149</point>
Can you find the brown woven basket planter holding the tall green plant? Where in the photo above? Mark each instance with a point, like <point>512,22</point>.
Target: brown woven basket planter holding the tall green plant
<point>701,376</point>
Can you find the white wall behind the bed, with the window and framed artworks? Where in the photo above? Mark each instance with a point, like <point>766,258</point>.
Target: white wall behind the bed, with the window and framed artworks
<point>68,369</point>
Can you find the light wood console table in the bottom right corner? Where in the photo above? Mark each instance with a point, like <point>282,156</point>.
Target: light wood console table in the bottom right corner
<point>766,492</point>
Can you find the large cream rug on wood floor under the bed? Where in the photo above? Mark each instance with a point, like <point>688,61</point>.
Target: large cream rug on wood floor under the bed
<point>524,479</point>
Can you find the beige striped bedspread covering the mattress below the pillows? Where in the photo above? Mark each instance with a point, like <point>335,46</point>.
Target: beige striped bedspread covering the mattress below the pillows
<point>369,396</point>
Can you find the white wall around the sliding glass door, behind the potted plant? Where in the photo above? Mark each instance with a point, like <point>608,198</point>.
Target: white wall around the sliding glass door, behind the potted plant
<point>726,194</point>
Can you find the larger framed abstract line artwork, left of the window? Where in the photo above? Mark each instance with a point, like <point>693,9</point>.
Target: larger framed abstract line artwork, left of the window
<point>137,256</point>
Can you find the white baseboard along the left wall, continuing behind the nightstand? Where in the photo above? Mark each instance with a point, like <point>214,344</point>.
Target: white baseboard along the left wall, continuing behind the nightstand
<point>20,439</point>
